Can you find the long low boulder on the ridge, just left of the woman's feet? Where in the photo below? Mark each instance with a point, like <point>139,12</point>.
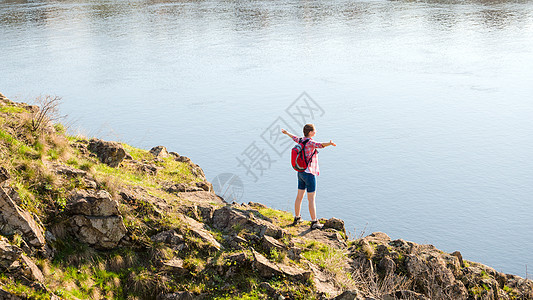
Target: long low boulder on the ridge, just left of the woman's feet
<point>232,220</point>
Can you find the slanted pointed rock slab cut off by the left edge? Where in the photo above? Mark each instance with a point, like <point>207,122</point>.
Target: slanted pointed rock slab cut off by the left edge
<point>13,220</point>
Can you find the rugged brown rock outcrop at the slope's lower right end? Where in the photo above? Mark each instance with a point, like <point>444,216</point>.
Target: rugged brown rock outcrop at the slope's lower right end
<point>434,274</point>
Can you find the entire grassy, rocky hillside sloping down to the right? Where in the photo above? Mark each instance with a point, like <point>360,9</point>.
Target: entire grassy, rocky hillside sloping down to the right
<point>90,219</point>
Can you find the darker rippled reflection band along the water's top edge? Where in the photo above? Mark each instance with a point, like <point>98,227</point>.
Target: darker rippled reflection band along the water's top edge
<point>443,14</point>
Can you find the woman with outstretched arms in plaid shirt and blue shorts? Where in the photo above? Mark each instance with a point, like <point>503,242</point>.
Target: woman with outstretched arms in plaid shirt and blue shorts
<point>307,179</point>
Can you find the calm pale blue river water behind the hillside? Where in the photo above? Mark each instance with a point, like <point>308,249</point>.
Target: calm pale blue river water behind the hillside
<point>429,102</point>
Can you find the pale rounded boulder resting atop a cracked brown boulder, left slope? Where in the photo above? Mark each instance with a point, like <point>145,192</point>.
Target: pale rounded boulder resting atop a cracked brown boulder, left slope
<point>97,203</point>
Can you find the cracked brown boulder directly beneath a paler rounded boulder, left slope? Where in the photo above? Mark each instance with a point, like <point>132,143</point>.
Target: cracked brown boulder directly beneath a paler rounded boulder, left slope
<point>99,232</point>
